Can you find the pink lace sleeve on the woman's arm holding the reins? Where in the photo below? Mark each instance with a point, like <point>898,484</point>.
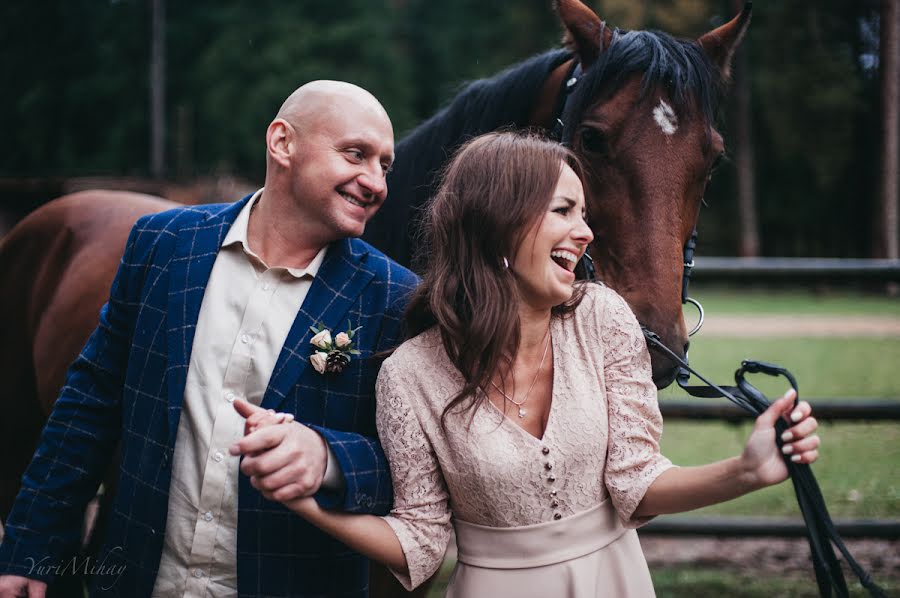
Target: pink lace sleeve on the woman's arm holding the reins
<point>635,423</point>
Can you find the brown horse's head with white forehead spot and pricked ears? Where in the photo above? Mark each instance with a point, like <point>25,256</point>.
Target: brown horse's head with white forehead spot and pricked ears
<point>641,117</point>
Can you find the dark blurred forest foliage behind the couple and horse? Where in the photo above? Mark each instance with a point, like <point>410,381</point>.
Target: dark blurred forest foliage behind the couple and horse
<point>76,89</point>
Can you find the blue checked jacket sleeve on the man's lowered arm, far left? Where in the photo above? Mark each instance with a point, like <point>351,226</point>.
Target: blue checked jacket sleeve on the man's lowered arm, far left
<point>77,444</point>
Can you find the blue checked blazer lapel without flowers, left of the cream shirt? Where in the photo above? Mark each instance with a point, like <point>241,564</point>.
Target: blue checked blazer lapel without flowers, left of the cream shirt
<point>195,253</point>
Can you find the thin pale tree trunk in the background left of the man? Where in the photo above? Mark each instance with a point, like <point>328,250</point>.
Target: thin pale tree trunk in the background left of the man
<point>157,88</point>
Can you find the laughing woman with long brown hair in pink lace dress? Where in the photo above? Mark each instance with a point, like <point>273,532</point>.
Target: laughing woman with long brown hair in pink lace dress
<point>522,412</point>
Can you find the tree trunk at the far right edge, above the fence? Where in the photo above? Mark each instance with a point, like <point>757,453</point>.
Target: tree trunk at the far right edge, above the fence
<point>890,110</point>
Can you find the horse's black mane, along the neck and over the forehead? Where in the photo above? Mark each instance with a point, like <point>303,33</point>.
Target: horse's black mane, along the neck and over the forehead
<point>506,100</point>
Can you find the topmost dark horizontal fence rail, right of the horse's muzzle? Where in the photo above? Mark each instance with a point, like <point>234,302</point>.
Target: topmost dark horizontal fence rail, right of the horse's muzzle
<point>781,268</point>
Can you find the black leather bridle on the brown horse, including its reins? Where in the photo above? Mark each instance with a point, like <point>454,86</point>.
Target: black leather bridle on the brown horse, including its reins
<point>821,533</point>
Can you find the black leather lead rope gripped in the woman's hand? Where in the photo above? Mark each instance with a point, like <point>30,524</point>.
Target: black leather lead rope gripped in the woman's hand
<point>821,533</point>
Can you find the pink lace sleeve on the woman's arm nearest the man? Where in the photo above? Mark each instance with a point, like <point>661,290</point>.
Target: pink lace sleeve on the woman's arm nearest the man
<point>421,515</point>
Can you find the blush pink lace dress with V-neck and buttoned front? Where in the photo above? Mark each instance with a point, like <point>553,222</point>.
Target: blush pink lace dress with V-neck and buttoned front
<point>533,517</point>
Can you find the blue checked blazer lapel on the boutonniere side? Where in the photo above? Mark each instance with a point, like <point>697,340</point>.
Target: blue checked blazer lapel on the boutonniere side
<point>338,284</point>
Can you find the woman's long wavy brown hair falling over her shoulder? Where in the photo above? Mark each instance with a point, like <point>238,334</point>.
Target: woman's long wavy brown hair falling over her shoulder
<point>494,189</point>
